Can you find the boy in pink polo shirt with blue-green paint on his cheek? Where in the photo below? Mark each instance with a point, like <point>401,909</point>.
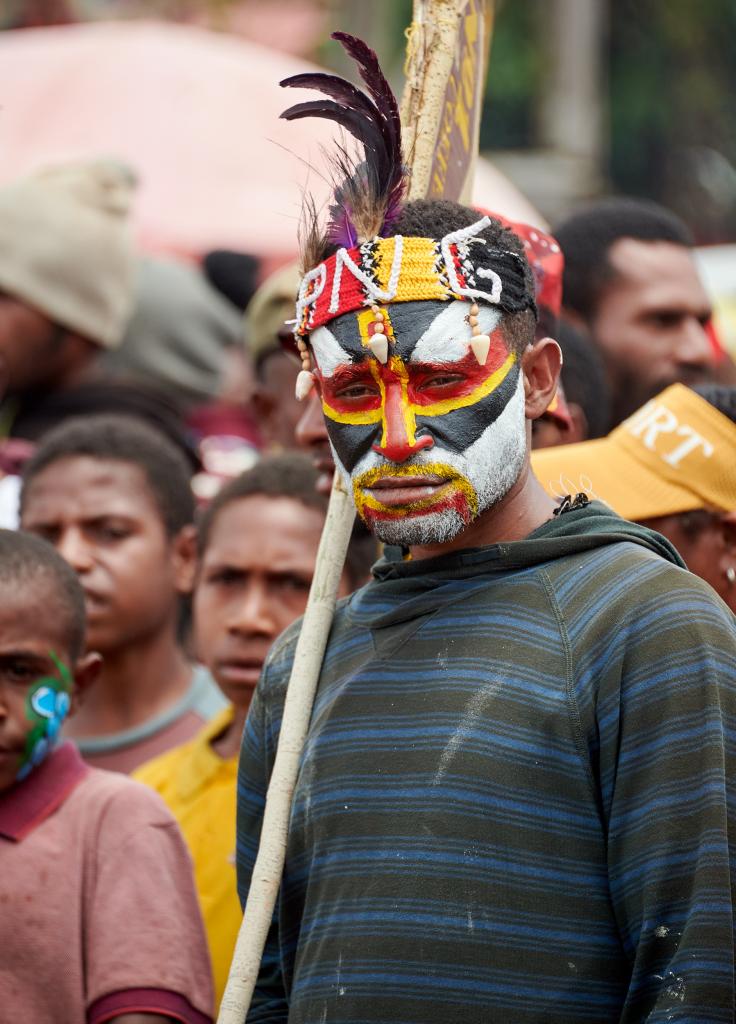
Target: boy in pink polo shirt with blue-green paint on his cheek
<point>99,916</point>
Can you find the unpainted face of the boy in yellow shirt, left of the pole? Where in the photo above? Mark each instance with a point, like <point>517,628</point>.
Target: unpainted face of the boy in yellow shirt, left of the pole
<point>253,581</point>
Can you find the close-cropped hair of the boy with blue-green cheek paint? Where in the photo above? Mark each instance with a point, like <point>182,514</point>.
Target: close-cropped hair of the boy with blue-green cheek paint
<point>27,560</point>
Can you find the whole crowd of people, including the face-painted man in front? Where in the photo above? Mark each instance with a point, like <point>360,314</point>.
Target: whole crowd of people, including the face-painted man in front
<point>516,799</point>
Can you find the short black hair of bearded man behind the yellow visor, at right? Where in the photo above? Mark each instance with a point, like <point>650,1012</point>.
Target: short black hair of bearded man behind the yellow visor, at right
<point>587,237</point>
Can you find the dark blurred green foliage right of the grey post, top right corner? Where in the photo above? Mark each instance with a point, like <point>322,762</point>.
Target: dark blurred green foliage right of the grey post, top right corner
<point>673,83</point>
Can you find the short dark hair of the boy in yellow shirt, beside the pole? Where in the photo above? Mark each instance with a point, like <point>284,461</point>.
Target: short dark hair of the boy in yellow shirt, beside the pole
<point>289,476</point>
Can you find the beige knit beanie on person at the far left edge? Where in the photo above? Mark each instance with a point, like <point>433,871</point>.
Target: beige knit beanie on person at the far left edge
<point>66,246</point>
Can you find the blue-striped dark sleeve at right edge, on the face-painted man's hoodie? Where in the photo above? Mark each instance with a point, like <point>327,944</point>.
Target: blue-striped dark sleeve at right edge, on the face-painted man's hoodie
<point>665,732</point>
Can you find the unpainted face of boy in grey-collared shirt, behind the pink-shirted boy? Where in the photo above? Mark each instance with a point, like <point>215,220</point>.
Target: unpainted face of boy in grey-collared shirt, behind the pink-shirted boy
<point>103,519</point>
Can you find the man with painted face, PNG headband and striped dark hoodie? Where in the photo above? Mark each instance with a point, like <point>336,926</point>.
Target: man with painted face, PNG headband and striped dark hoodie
<point>515,795</point>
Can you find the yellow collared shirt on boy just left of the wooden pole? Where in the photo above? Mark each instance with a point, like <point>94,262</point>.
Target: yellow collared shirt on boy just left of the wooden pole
<point>200,790</point>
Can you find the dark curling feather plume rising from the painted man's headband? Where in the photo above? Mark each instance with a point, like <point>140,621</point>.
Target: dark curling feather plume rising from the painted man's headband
<point>368,194</point>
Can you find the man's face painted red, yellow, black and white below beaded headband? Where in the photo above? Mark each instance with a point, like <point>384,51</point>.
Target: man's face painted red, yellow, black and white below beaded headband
<point>430,440</point>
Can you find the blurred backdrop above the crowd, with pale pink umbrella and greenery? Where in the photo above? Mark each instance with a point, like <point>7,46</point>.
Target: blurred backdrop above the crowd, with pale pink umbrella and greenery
<point>584,99</point>
